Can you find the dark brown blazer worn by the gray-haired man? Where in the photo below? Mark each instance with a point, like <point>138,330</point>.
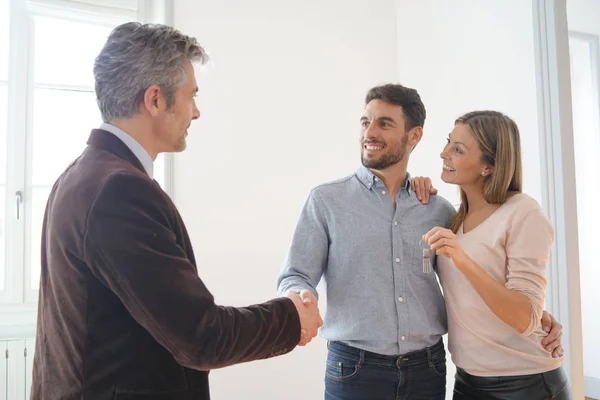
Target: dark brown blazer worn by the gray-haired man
<point>122,311</point>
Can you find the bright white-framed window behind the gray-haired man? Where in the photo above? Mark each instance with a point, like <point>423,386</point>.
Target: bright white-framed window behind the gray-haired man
<point>47,110</point>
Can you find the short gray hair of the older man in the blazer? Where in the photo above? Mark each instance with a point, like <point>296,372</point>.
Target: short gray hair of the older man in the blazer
<point>136,57</point>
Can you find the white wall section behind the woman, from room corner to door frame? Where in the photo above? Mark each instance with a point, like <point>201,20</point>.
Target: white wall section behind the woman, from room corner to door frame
<point>464,55</point>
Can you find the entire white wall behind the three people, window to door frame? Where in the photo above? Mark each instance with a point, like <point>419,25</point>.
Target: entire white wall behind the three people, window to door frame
<point>280,111</point>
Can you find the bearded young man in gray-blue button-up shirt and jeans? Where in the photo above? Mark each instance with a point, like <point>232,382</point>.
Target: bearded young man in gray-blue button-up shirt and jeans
<point>385,313</point>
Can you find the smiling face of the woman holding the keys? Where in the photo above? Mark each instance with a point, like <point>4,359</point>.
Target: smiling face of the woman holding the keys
<point>463,159</point>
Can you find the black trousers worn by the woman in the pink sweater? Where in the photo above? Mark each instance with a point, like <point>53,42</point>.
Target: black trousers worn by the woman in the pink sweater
<point>547,385</point>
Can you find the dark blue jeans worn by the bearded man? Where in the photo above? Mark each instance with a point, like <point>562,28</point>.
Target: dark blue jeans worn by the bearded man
<point>354,374</point>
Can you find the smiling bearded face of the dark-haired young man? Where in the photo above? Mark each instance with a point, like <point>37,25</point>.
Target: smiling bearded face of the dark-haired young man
<point>383,138</point>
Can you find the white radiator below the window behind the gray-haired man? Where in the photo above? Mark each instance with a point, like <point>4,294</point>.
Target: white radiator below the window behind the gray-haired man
<point>16,364</point>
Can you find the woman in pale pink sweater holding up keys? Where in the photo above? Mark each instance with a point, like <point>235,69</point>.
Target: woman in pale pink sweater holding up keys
<point>492,266</point>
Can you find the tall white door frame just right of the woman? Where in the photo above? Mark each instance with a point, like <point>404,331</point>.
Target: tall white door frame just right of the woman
<point>563,296</point>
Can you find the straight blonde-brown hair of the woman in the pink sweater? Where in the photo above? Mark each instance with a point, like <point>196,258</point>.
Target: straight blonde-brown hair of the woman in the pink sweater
<point>500,144</point>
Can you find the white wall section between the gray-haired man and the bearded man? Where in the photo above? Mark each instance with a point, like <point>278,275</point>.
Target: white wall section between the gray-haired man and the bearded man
<point>280,114</point>
